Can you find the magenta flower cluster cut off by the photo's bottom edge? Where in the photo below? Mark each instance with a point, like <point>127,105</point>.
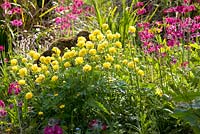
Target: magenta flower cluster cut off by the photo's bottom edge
<point>53,130</point>
